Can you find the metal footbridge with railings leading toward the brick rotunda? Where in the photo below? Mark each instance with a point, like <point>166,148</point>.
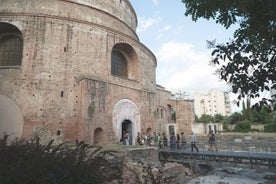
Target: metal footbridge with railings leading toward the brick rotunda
<point>234,152</point>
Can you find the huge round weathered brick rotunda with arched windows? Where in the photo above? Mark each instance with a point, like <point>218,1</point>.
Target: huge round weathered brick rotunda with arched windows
<point>76,70</point>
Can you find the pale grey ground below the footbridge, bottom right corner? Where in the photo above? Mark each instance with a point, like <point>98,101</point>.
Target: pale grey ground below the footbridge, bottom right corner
<point>231,175</point>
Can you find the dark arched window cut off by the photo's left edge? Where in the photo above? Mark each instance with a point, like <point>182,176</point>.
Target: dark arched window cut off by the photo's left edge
<point>11,45</point>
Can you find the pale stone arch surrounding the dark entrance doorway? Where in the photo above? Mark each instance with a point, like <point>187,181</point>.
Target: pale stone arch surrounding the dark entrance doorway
<point>126,113</point>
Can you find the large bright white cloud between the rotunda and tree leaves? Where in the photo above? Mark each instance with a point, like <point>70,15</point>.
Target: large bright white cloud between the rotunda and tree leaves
<point>181,66</point>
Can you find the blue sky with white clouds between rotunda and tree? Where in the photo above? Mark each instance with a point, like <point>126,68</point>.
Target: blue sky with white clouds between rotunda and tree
<point>179,45</point>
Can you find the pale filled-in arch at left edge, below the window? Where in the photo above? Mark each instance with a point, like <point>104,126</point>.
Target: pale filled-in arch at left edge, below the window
<point>11,118</point>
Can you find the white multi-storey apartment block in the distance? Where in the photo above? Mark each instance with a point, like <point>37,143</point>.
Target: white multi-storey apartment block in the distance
<point>212,103</point>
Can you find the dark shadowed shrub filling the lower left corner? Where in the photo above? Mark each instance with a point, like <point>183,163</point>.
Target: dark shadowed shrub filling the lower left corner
<point>32,163</point>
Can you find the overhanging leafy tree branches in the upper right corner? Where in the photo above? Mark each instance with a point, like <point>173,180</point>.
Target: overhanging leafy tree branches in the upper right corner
<point>248,61</point>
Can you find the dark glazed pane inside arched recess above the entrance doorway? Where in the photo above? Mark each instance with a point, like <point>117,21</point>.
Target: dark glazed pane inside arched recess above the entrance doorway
<point>118,64</point>
